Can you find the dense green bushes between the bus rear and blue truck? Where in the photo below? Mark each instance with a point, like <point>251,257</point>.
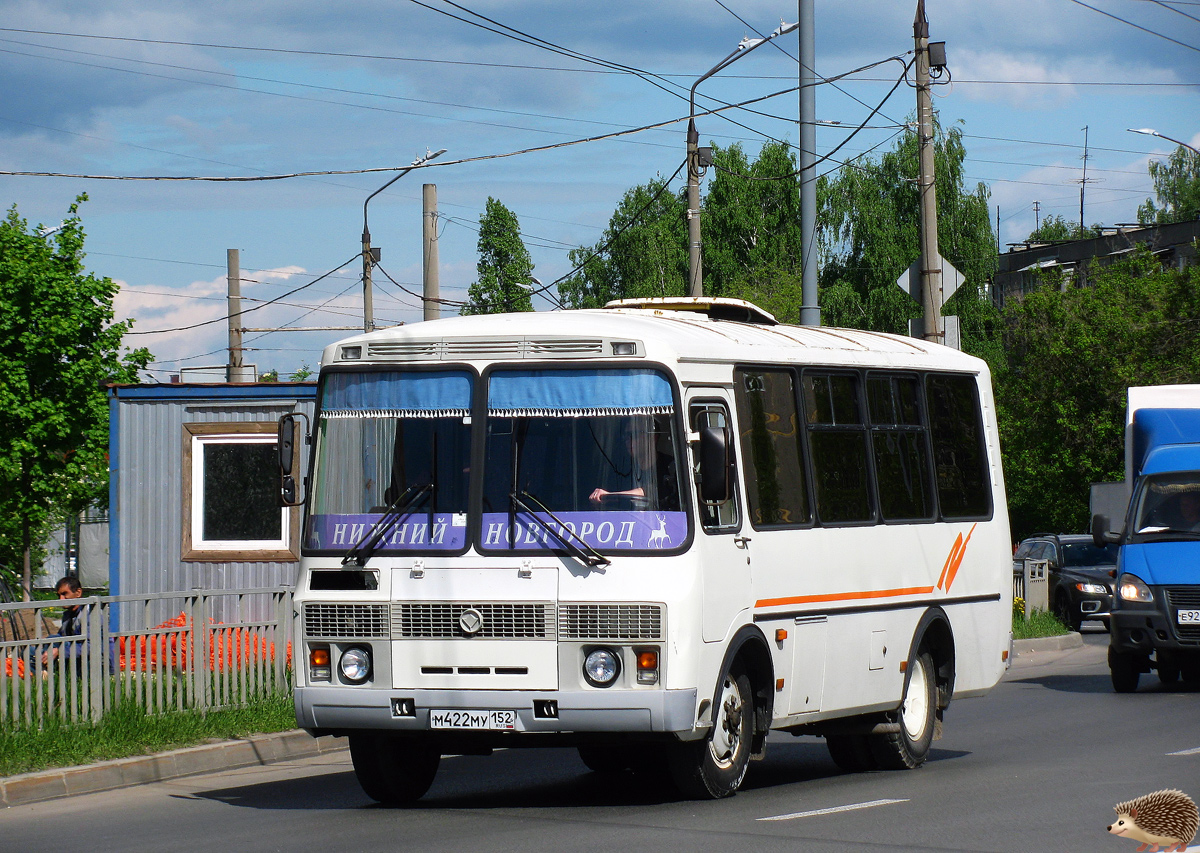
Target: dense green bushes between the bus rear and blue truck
<point>1069,358</point>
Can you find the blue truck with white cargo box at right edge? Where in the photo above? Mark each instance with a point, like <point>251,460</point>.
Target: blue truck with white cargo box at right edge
<point>1156,611</point>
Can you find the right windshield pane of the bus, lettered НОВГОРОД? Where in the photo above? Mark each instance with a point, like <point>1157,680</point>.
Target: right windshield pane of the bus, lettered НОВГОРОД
<point>596,448</point>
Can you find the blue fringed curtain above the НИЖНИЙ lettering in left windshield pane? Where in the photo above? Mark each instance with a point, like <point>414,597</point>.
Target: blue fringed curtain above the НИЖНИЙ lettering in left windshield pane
<point>392,394</point>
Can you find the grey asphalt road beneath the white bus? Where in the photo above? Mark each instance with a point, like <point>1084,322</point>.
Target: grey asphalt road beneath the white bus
<point>1037,765</point>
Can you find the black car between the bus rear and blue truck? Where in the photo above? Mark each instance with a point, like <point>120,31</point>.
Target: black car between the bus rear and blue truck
<point>1082,575</point>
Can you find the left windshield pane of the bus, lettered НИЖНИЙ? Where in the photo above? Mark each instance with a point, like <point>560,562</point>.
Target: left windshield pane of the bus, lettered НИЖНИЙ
<point>382,435</point>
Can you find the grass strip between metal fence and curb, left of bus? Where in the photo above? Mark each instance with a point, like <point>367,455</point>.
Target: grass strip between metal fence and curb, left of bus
<point>129,731</point>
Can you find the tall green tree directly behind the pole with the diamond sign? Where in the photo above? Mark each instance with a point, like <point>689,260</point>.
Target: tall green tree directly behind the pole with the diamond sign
<point>868,231</point>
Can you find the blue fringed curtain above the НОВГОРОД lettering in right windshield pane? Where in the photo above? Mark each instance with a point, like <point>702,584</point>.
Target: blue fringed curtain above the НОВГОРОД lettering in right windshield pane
<point>575,394</point>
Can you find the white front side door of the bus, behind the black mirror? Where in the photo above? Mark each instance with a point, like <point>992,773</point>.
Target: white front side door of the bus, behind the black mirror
<point>724,551</point>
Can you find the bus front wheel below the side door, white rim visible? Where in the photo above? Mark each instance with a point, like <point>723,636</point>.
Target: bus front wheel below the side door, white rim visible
<point>713,767</point>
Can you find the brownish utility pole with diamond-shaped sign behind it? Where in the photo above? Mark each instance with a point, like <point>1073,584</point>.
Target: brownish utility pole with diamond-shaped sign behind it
<point>931,259</point>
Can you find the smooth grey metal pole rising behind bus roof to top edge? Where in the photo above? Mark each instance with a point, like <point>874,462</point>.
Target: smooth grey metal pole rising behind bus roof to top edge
<point>811,309</point>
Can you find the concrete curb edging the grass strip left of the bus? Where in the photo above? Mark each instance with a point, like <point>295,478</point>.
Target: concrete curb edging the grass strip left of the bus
<point>123,773</point>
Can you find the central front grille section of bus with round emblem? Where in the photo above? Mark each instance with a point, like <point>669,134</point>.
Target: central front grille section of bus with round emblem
<point>497,621</point>
